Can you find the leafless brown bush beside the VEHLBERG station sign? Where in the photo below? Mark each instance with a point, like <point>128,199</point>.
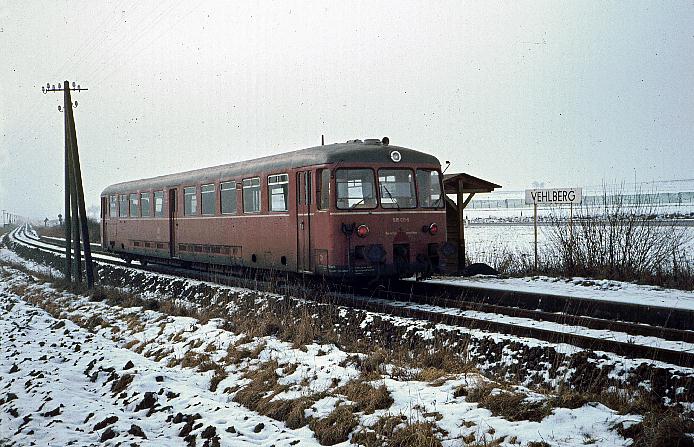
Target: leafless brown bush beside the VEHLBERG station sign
<point>620,238</point>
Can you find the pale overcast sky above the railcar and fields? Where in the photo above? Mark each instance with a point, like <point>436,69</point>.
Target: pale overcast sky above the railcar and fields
<point>565,93</point>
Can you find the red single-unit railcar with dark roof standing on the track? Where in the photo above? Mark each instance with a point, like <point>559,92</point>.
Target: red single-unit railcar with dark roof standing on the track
<point>352,209</point>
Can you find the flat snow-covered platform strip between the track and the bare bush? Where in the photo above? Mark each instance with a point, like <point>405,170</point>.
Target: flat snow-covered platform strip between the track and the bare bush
<point>602,290</point>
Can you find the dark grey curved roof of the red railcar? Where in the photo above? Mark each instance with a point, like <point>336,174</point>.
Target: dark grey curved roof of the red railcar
<point>351,152</point>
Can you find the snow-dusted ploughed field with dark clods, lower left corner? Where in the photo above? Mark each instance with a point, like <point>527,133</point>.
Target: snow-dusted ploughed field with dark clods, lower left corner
<point>56,388</point>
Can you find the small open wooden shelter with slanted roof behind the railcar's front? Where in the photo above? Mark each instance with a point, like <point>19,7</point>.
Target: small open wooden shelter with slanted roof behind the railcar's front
<point>459,185</point>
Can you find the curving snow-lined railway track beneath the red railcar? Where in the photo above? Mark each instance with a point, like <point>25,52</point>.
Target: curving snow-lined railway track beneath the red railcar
<point>456,306</point>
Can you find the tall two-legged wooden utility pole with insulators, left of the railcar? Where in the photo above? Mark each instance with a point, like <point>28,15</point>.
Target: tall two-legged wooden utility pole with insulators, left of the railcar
<point>74,193</point>
